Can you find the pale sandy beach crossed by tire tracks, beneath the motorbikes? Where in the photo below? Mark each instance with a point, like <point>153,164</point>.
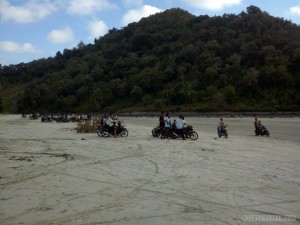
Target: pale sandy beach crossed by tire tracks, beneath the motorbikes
<point>50,174</point>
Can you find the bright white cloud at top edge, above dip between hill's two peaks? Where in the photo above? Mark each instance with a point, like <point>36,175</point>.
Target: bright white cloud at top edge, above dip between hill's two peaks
<point>213,5</point>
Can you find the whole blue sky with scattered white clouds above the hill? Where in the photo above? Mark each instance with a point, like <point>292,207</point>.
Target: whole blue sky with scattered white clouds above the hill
<point>34,29</point>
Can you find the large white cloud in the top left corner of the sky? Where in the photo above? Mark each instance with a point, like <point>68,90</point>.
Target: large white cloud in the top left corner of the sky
<point>29,12</point>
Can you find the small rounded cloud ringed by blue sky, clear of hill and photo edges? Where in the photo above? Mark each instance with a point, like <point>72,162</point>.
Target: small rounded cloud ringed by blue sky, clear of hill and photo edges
<point>61,36</point>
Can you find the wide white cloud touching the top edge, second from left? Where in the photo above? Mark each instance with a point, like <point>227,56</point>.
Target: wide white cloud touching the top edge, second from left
<point>88,7</point>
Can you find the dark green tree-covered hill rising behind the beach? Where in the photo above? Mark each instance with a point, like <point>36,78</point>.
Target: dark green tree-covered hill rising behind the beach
<point>171,60</point>
